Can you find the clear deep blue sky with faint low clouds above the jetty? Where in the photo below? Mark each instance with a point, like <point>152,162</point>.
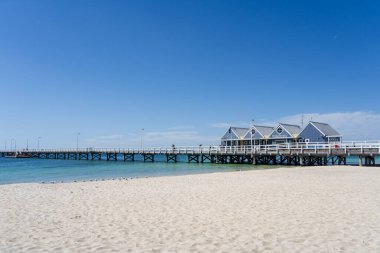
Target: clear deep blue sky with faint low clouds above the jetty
<point>156,73</point>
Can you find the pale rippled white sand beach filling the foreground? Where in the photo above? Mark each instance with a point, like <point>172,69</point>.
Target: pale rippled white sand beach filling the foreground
<point>315,209</point>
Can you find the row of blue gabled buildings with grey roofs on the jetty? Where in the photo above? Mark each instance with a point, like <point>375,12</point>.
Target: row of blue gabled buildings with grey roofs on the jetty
<point>282,133</point>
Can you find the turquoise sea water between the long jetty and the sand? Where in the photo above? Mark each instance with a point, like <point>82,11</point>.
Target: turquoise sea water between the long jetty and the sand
<point>41,170</point>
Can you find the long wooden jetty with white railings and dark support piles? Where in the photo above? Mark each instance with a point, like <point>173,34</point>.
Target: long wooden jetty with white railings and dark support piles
<point>303,154</point>
